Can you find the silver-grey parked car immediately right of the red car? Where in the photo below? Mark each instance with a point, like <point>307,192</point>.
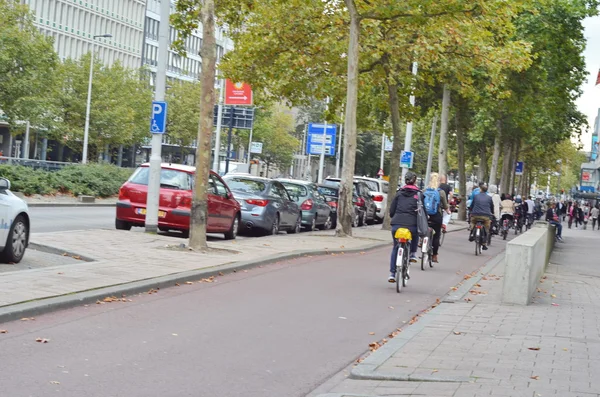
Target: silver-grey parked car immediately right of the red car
<point>265,204</point>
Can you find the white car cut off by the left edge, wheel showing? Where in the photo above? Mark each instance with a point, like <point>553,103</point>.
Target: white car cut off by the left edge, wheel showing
<point>14,225</point>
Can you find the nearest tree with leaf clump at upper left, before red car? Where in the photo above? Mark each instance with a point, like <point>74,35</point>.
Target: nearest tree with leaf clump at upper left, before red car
<point>187,17</point>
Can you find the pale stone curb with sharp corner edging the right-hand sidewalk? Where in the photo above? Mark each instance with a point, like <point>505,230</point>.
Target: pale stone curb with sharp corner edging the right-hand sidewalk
<point>367,369</point>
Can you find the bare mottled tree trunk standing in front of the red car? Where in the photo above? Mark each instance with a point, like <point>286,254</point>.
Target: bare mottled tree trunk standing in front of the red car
<point>199,214</point>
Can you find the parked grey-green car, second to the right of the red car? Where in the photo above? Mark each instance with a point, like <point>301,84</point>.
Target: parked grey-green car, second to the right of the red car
<point>315,211</point>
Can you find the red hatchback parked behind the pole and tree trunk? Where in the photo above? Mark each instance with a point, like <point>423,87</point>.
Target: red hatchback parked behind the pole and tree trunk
<point>176,185</point>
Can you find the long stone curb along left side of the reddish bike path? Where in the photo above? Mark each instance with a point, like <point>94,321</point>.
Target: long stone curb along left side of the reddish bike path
<point>46,305</point>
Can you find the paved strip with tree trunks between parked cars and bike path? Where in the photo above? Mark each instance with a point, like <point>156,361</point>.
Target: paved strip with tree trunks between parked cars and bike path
<point>120,259</point>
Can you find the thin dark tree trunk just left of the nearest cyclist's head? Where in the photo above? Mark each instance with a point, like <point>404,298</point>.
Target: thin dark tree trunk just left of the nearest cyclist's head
<point>396,147</point>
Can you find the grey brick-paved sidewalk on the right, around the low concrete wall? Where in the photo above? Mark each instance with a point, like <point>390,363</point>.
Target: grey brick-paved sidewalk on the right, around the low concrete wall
<point>479,347</point>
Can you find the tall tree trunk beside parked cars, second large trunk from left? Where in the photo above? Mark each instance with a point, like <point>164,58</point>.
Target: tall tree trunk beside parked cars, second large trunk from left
<point>346,208</point>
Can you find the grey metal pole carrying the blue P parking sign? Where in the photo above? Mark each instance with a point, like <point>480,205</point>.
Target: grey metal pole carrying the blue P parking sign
<point>152,201</point>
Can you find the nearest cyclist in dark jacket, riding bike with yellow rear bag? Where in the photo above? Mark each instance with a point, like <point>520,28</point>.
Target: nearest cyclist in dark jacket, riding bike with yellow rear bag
<point>403,214</point>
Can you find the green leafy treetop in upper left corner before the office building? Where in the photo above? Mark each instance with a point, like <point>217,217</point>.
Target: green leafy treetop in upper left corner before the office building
<point>27,60</point>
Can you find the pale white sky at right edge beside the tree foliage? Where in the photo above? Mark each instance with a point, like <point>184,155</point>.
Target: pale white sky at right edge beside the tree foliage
<point>589,102</point>
